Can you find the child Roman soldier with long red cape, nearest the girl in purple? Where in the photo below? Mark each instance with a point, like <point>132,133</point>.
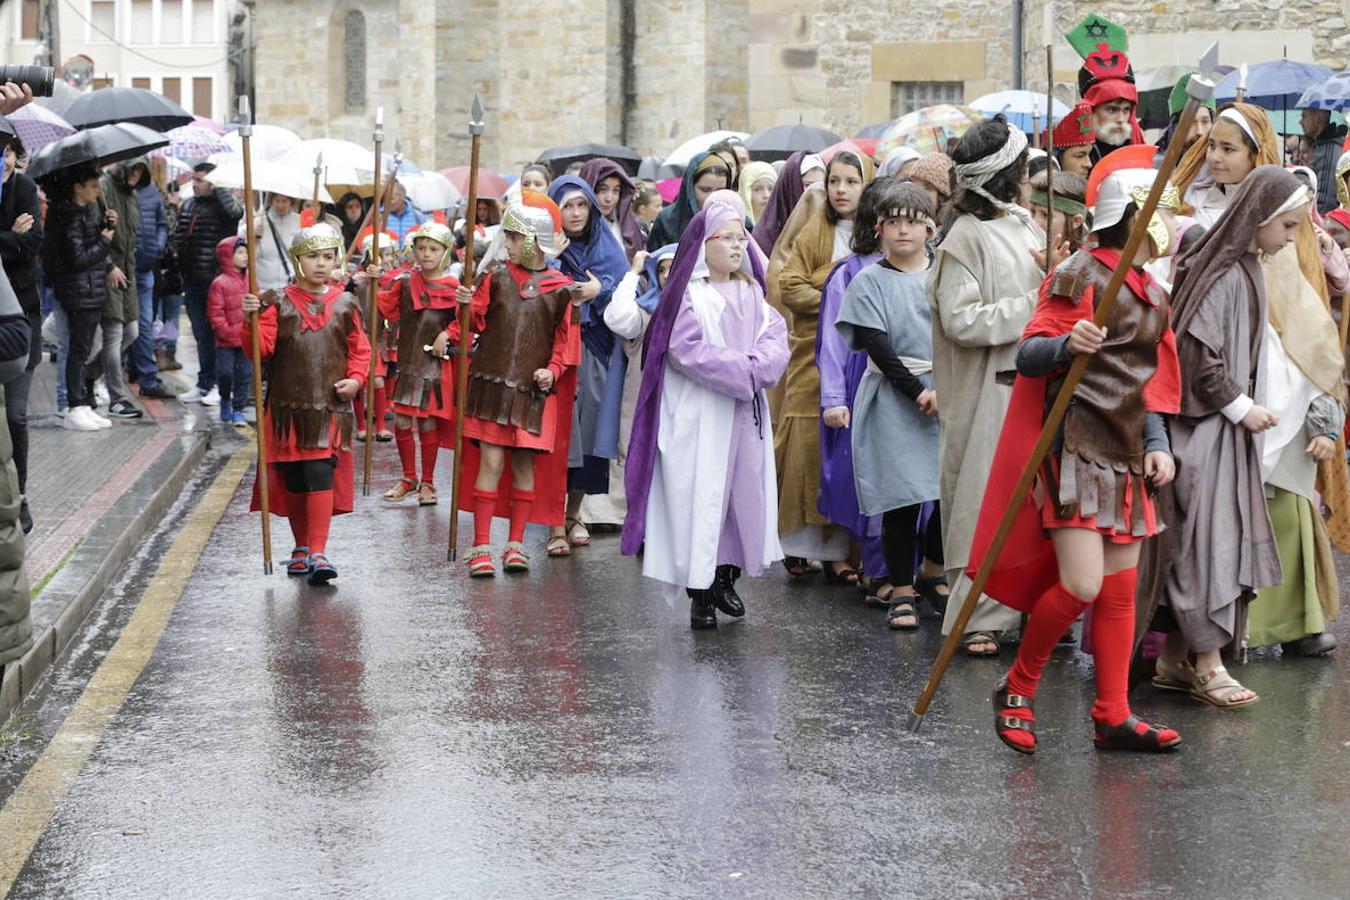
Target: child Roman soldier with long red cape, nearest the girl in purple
<point>522,384</point>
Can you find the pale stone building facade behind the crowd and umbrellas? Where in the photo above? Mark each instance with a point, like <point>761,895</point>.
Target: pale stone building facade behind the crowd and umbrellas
<point>653,74</point>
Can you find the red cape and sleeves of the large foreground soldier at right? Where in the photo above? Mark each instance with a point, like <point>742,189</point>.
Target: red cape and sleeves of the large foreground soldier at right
<point>1027,567</point>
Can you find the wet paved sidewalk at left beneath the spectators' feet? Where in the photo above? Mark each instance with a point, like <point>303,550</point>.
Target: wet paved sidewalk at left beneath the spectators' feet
<point>94,496</point>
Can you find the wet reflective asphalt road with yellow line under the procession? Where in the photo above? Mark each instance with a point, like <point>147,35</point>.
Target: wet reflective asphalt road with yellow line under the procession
<point>411,735</point>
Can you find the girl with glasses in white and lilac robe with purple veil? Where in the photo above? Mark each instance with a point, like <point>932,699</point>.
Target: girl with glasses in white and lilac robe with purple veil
<point>701,481</point>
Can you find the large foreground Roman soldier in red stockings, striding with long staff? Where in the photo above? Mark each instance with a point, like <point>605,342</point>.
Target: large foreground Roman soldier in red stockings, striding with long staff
<point>1078,536</point>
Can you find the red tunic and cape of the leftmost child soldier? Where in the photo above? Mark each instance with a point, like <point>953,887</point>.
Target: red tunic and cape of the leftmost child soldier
<point>288,447</point>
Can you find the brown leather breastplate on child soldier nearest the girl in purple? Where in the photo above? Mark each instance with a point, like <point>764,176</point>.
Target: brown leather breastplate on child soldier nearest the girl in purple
<point>518,341</point>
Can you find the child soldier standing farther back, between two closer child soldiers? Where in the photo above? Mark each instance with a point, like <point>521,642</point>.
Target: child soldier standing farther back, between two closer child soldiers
<point>422,302</point>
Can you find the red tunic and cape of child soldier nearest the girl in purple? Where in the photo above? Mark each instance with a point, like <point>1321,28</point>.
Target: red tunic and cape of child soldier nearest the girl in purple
<point>551,454</point>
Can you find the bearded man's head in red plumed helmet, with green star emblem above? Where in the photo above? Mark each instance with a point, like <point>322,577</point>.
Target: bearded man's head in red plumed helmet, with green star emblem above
<point>1106,83</point>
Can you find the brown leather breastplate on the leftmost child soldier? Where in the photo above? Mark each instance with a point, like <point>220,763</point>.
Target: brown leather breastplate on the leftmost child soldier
<point>302,374</point>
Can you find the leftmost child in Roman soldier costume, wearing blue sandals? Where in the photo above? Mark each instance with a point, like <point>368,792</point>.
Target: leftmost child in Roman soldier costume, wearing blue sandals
<point>317,350</point>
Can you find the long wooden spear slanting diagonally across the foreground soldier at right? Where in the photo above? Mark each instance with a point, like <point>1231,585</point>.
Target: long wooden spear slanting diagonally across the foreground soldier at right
<point>1199,91</point>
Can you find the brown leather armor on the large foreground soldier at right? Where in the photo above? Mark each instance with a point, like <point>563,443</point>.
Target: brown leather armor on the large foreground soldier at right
<point>1105,422</point>
